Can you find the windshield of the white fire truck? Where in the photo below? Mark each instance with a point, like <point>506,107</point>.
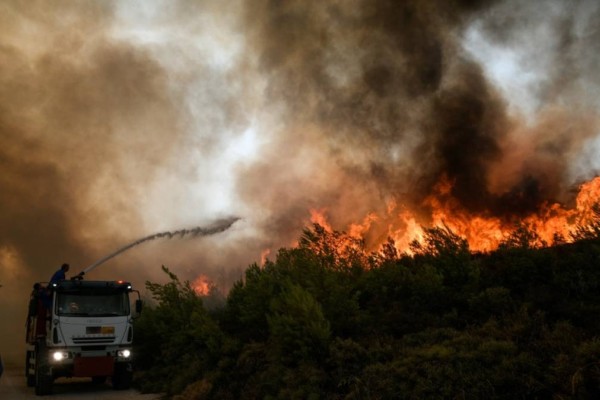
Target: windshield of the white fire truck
<point>105,304</point>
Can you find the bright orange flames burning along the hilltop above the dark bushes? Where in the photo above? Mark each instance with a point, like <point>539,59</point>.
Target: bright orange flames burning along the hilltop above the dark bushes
<point>483,233</point>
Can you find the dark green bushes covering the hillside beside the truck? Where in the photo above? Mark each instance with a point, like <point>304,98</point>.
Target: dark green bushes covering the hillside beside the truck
<point>326,320</point>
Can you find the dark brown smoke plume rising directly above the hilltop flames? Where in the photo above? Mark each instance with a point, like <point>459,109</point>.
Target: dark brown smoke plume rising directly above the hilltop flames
<point>400,105</point>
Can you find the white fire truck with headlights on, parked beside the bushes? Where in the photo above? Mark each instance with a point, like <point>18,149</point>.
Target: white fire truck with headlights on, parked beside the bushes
<point>78,328</point>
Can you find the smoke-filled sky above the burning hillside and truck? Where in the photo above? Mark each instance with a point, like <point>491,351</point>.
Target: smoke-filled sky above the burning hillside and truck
<point>122,119</point>
